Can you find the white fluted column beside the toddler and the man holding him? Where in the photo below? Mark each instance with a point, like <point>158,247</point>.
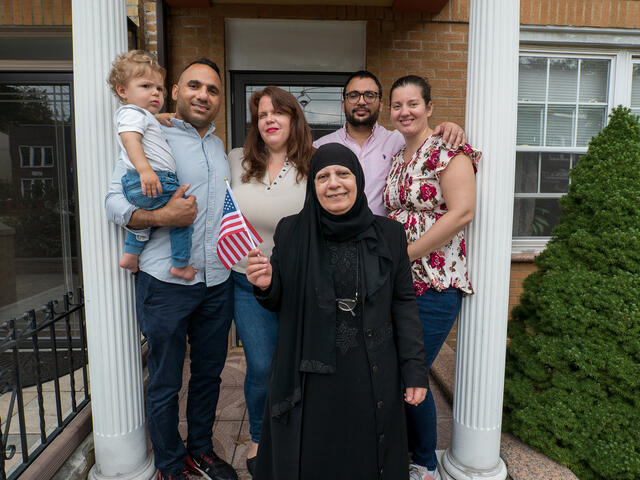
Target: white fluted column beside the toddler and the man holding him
<point>99,34</point>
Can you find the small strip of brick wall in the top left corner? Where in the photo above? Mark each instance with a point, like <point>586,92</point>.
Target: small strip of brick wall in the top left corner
<point>35,12</point>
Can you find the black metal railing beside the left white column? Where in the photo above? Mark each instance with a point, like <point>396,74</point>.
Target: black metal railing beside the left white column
<point>39,349</point>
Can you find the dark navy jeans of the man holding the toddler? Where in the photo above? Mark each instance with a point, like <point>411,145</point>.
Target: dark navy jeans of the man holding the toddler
<point>169,313</point>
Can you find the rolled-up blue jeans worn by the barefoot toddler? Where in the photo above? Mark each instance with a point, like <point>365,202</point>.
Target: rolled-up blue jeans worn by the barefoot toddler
<point>180,236</point>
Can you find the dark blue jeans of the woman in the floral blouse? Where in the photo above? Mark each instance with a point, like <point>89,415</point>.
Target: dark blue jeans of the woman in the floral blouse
<point>438,312</point>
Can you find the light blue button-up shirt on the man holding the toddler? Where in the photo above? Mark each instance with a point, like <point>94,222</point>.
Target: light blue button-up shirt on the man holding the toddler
<point>200,162</point>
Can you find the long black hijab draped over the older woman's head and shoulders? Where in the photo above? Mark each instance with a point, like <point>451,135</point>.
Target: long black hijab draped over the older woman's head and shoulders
<point>307,332</point>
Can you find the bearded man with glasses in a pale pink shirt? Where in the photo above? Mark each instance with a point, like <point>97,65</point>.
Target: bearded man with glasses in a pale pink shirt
<point>373,144</point>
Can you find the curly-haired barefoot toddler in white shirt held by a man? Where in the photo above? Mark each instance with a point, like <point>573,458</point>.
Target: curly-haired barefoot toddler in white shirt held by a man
<point>137,80</point>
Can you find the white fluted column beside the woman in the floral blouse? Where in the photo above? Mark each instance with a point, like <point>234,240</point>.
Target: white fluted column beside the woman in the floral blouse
<point>491,105</point>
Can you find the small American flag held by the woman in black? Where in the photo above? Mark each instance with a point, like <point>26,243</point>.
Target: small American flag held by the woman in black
<point>237,237</point>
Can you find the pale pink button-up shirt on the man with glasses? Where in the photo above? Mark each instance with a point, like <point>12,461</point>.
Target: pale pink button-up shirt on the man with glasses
<point>375,157</point>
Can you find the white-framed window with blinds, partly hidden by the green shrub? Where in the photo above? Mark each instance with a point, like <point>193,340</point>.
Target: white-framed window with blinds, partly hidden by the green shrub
<point>563,101</point>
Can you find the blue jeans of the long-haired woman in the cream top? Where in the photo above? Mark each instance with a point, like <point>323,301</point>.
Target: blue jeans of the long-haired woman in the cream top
<point>258,329</point>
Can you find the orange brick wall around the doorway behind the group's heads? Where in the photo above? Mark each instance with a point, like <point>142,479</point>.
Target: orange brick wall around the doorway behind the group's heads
<point>397,44</point>
